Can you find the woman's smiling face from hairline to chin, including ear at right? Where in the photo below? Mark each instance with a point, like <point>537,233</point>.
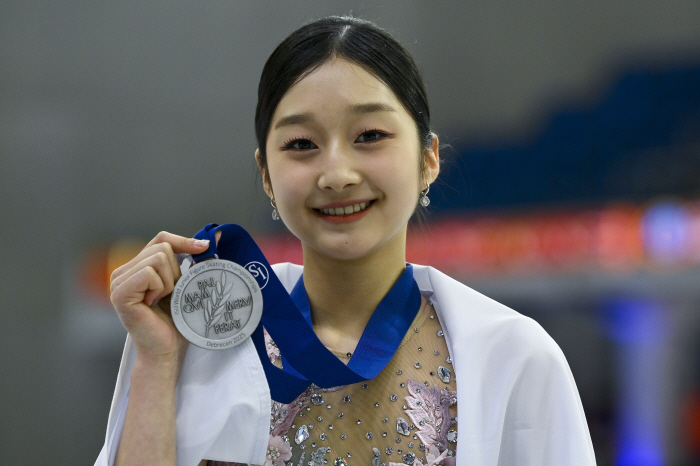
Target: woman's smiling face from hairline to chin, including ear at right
<point>343,162</point>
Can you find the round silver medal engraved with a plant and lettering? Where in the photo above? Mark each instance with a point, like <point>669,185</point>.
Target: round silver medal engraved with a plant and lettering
<point>216,304</point>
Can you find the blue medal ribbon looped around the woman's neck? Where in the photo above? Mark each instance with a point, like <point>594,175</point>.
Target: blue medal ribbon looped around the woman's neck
<point>287,319</point>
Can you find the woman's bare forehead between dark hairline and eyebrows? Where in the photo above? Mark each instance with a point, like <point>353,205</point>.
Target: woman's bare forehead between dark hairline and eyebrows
<point>332,88</point>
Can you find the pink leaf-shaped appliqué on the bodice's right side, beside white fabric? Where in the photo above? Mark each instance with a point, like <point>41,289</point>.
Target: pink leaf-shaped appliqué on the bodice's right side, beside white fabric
<point>429,411</point>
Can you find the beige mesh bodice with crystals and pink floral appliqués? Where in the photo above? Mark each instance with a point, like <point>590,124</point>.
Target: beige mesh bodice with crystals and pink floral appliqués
<point>406,415</point>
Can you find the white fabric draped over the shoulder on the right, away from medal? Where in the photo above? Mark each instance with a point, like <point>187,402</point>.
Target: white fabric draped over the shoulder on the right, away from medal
<point>517,402</point>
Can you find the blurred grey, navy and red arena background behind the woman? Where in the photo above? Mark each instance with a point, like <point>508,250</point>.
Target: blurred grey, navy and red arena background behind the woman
<point>570,190</point>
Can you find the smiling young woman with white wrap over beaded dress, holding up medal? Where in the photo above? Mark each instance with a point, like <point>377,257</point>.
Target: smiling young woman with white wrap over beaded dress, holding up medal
<point>346,155</point>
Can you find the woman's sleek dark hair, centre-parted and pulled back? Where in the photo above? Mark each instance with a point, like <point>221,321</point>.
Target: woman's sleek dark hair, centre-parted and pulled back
<point>352,39</point>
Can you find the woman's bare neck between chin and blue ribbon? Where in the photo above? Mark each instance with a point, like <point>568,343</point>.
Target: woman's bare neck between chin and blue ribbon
<point>344,293</point>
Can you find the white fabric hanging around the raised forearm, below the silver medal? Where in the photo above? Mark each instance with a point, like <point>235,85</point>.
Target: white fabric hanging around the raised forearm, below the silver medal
<point>222,404</point>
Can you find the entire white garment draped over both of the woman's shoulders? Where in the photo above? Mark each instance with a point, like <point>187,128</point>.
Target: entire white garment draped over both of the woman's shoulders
<point>517,402</point>
